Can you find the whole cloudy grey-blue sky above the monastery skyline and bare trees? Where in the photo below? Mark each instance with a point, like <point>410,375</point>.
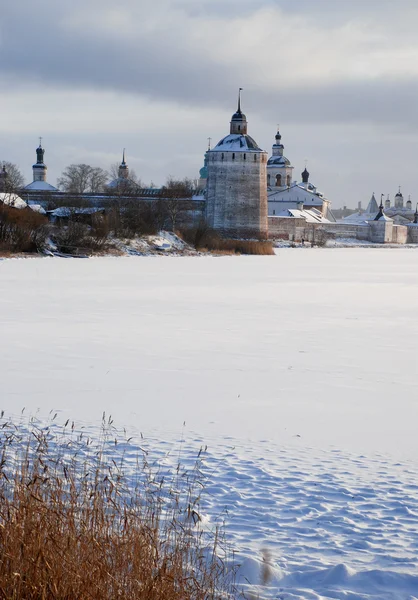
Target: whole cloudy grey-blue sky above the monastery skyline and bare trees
<point>160,76</point>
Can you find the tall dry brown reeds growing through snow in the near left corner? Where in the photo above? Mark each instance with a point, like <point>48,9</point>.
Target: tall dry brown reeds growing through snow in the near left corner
<point>74,525</point>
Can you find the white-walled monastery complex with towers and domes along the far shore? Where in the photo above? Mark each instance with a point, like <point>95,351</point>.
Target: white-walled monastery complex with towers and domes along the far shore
<point>245,193</point>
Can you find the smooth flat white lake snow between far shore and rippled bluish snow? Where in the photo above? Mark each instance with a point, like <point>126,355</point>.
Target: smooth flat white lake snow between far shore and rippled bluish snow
<point>316,343</point>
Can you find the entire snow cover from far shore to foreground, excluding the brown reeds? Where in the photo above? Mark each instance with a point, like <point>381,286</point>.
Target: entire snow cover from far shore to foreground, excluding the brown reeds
<point>298,371</point>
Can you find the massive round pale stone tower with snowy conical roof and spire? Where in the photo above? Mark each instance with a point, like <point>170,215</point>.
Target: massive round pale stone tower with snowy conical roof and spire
<point>236,203</point>
